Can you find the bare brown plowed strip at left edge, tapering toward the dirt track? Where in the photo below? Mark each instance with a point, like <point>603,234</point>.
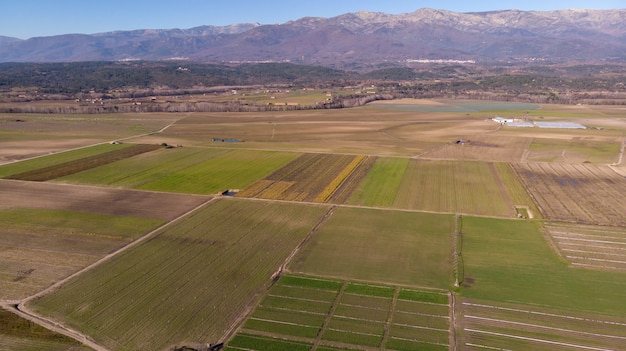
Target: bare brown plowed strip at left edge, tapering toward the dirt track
<point>119,202</point>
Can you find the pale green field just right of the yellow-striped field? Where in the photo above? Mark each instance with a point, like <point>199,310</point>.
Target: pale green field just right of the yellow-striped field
<point>462,187</point>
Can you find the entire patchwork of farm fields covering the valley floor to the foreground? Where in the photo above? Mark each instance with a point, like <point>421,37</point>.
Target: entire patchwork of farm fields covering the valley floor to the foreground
<point>348,233</point>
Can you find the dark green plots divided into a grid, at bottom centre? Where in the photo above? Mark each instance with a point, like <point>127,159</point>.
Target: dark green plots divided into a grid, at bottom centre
<point>322,314</point>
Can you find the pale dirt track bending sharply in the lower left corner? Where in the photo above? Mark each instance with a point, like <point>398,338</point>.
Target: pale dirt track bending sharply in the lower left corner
<point>50,324</point>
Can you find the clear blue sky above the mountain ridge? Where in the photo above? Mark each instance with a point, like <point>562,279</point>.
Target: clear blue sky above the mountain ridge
<point>31,18</point>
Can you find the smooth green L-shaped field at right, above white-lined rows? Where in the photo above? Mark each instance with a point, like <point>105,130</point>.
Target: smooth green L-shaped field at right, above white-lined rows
<point>510,261</point>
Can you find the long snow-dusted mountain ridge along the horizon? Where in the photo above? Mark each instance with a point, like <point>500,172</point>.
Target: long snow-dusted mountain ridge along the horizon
<point>356,40</point>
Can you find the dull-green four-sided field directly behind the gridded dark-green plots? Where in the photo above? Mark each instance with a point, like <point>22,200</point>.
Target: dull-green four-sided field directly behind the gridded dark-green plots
<point>388,246</point>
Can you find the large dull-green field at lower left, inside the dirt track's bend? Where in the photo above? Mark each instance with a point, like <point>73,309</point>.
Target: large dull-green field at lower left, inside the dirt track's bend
<point>189,281</point>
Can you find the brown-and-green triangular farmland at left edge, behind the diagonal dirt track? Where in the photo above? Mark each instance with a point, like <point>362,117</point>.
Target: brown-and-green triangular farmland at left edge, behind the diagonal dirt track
<point>49,232</point>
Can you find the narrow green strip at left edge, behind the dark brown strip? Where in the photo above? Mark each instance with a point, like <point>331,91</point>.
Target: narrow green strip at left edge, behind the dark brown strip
<point>56,159</point>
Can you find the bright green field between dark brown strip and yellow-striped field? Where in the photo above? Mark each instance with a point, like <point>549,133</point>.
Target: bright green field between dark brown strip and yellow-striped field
<point>186,170</point>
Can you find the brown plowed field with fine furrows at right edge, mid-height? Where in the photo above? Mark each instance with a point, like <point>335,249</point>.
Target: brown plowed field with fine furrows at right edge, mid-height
<point>582,193</point>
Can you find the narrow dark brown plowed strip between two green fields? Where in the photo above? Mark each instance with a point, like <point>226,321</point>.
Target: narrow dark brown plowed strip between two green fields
<point>79,165</point>
